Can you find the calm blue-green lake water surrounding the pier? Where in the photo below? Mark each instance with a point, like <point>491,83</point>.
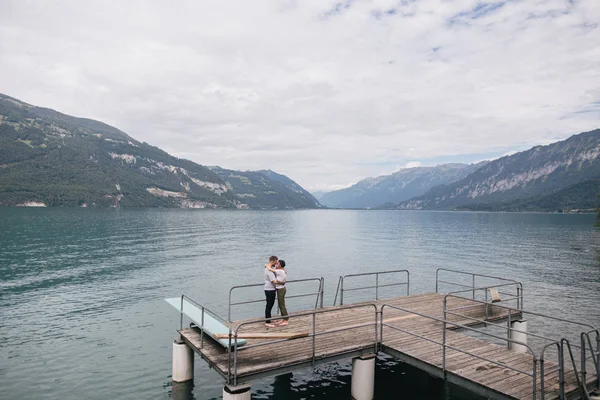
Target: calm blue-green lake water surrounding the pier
<point>81,290</point>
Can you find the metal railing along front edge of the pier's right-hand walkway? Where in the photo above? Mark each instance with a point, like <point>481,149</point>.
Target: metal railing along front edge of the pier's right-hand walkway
<point>445,346</point>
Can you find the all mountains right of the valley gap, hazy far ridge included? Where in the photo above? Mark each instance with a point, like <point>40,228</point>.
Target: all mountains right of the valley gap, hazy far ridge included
<point>560,176</point>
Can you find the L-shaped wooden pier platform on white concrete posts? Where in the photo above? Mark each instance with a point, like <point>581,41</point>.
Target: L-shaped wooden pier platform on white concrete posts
<point>416,329</point>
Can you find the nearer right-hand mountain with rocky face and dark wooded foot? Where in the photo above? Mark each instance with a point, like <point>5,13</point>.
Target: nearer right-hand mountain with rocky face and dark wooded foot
<point>561,175</point>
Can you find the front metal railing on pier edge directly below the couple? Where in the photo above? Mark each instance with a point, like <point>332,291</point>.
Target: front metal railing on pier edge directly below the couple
<point>234,334</point>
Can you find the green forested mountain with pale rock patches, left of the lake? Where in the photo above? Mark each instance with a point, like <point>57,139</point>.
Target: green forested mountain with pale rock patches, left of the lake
<point>49,158</point>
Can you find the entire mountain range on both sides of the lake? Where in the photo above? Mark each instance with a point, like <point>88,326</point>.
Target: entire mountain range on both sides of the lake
<point>51,159</point>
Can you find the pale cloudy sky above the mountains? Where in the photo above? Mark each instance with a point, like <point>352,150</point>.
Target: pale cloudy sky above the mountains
<point>327,92</point>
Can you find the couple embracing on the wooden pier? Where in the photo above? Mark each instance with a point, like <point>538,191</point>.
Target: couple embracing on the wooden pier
<point>275,278</point>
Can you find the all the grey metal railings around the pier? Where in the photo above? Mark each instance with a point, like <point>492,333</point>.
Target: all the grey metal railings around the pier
<point>561,344</point>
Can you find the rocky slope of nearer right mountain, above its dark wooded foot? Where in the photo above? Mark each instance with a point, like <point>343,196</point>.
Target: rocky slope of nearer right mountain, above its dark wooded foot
<point>540,171</point>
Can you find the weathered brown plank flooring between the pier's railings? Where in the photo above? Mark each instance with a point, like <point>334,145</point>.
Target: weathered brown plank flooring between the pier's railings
<point>331,343</point>
